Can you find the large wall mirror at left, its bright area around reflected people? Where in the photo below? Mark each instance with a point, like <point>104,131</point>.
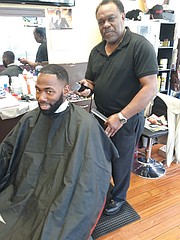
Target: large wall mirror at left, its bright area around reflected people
<point>17,25</point>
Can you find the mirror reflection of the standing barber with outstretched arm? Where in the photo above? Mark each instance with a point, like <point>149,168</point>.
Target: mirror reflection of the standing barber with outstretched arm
<point>42,54</point>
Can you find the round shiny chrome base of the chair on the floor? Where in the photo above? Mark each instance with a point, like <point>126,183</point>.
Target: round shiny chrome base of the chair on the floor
<point>148,169</point>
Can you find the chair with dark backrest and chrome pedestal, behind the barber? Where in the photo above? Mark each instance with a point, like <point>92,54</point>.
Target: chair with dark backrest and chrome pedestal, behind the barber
<point>144,165</point>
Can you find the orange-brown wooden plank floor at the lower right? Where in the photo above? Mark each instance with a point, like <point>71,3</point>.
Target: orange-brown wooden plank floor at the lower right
<point>157,201</point>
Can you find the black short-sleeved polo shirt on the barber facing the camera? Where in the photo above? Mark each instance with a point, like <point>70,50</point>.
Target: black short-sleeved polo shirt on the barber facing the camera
<point>116,77</point>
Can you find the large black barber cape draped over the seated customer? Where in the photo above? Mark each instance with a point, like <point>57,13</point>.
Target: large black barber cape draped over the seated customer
<point>54,176</point>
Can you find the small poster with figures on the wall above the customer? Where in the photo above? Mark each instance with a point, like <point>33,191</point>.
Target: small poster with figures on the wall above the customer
<point>60,18</point>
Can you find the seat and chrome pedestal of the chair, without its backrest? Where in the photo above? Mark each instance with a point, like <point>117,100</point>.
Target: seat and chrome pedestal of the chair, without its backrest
<point>146,166</point>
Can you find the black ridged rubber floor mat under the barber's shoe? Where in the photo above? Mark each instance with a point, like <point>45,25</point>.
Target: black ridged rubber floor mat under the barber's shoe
<point>109,224</point>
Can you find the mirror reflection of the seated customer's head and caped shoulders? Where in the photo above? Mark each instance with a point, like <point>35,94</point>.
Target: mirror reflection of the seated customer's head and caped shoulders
<point>11,69</point>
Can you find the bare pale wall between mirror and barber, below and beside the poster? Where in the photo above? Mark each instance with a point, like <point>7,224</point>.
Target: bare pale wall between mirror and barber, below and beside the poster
<point>74,45</point>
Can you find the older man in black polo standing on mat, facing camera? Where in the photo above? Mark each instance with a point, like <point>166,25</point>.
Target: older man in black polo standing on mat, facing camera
<point>122,73</point>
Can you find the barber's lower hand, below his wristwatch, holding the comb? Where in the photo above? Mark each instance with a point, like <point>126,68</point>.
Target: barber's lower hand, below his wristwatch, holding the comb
<point>113,125</point>
